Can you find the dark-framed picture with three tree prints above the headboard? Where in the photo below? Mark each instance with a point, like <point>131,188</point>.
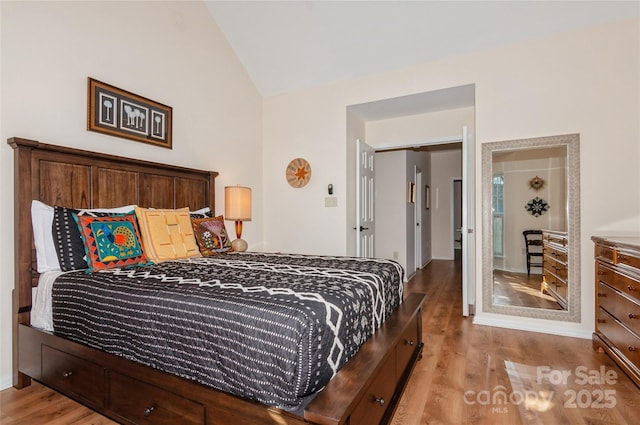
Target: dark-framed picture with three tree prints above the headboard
<point>120,113</point>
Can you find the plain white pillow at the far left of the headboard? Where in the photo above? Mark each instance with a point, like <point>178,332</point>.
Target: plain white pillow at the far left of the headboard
<point>42,221</point>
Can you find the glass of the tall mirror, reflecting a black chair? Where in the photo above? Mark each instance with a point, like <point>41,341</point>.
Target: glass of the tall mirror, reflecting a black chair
<point>529,200</point>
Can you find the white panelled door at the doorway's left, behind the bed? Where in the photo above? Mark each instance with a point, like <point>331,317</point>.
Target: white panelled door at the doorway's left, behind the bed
<point>365,200</point>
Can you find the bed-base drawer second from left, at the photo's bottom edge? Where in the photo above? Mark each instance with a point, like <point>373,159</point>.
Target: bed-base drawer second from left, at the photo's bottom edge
<point>140,403</point>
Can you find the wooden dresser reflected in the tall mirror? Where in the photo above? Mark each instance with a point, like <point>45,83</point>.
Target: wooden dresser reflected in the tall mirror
<point>555,265</point>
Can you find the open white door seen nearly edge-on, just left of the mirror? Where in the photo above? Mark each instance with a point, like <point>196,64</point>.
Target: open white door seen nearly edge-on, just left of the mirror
<point>468,220</point>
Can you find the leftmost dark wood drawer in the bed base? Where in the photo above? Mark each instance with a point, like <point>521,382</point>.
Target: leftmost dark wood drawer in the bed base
<point>71,374</point>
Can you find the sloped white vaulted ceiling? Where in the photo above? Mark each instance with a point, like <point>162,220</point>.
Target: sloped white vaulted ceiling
<point>291,45</point>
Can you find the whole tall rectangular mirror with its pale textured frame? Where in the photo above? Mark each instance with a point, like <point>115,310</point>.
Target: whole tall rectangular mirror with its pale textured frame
<point>530,187</point>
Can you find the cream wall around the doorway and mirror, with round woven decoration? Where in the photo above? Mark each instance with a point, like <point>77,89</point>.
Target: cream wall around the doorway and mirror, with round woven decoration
<point>585,81</point>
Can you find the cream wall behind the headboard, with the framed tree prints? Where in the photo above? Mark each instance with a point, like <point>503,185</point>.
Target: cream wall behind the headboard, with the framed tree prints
<point>171,52</point>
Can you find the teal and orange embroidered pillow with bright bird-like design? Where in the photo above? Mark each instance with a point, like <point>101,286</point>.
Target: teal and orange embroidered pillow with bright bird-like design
<point>112,241</point>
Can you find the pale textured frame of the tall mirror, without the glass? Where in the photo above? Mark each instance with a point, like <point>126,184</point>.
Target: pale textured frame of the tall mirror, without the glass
<point>572,142</point>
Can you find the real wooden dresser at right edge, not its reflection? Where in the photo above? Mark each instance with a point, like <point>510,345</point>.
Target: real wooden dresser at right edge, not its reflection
<point>618,301</point>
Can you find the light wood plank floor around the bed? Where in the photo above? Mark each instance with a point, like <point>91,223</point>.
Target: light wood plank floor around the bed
<point>463,369</point>
